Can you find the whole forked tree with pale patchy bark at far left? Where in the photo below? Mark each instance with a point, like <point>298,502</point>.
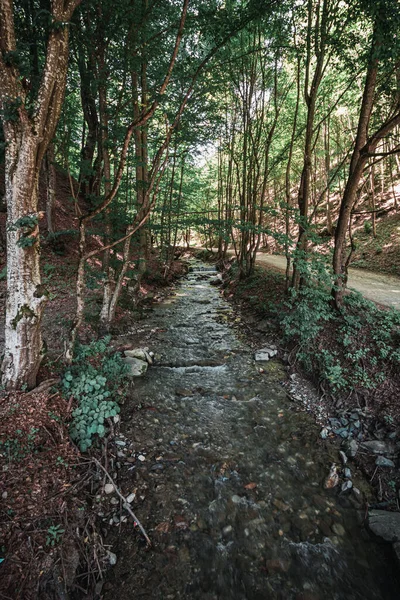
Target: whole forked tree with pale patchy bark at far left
<point>29,121</point>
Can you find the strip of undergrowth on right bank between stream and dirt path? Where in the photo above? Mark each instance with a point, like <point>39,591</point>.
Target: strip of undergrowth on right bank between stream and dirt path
<point>355,348</point>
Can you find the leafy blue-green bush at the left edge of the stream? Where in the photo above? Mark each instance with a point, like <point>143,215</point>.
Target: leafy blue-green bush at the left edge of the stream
<point>94,380</point>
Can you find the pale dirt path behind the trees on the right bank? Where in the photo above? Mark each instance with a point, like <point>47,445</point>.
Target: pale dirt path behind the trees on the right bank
<point>379,288</point>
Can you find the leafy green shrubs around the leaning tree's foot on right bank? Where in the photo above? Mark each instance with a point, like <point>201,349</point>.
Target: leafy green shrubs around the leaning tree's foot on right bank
<point>363,339</point>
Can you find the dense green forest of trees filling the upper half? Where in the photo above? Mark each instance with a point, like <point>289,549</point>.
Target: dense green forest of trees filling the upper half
<point>252,125</point>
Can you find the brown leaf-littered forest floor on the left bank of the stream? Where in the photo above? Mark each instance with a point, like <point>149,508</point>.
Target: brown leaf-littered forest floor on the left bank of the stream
<point>48,531</point>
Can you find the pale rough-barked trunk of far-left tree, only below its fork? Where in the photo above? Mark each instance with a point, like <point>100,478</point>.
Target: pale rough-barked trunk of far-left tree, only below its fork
<point>26,297</point>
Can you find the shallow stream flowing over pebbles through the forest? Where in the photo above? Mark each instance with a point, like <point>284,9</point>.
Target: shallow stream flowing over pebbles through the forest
<point>228,477</point>
